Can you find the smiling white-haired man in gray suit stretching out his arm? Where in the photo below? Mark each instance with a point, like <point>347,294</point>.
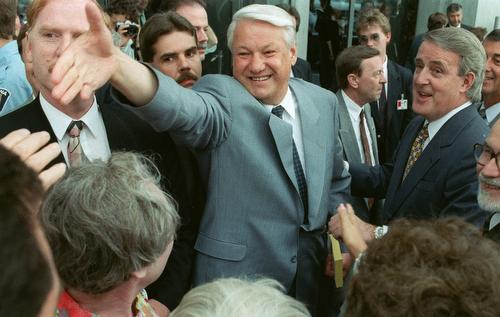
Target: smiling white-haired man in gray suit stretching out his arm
<point>267,145</point>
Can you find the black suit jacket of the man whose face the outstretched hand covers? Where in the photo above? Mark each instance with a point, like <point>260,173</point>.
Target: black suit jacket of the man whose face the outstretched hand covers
<point>126,131</point>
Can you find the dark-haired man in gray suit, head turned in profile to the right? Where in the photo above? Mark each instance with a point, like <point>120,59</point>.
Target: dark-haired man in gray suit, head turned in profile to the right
<point>360,76</point>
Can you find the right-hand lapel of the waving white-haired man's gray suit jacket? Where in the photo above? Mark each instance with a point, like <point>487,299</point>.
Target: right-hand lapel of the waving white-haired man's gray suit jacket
<point>314,149</point>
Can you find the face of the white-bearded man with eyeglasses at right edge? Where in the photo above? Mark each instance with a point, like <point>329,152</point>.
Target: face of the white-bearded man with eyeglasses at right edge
<point>489,175</point>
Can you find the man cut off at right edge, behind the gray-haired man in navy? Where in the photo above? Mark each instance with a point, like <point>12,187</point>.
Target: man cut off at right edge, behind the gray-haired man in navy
<point>490,108</point>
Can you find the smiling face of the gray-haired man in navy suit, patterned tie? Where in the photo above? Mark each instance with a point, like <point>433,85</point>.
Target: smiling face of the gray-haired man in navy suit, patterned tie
<point>437,87</point>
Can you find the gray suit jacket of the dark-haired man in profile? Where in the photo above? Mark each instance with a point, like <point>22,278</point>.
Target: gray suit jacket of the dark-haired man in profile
<point>351,153</point>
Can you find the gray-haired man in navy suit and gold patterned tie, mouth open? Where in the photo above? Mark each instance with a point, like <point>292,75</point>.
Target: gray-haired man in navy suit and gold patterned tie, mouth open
<point>433,173</point>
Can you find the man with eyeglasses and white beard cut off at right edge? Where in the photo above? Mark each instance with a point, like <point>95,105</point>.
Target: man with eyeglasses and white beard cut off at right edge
<point>488,170</point>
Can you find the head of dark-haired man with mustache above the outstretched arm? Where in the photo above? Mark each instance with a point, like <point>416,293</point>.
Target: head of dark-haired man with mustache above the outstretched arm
<point>168,42</point>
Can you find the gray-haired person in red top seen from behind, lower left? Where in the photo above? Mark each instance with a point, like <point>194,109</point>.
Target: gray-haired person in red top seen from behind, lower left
<point>111,229</point>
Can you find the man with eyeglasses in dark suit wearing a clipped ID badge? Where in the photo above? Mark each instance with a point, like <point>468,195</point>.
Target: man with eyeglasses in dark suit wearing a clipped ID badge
<point>393,110</point>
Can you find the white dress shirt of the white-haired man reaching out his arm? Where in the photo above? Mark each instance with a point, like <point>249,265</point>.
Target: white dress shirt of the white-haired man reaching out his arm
<point>292,116</point>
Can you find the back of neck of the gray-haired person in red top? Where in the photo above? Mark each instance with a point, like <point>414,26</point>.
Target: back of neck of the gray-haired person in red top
<point>114,303</point>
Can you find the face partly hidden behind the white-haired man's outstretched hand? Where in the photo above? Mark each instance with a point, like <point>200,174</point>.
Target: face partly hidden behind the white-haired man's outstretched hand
<point>57,25</point>
